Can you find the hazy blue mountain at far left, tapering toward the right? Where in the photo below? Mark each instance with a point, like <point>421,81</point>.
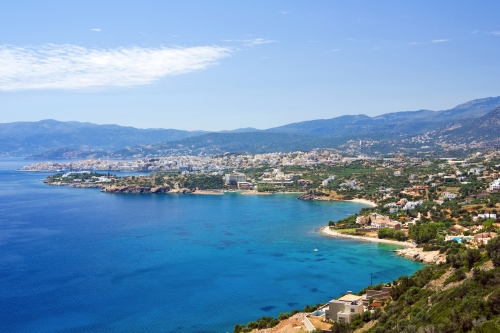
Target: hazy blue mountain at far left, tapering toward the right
<point>32,137</point>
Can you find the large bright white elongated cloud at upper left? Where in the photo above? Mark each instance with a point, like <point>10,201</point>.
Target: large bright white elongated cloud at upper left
<point>74,67</point>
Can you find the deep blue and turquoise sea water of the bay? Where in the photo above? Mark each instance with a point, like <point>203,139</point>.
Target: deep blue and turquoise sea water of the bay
<point>78,260</point>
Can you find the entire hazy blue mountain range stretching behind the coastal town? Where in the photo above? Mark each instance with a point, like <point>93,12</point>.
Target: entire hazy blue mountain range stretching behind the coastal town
<point>55,139</point>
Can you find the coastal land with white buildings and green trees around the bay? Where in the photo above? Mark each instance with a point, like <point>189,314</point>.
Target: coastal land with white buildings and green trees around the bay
<point>441,211</point>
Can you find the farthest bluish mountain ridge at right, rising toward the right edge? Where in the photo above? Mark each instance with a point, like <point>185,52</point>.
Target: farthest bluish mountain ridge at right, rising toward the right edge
<point>404,122</point>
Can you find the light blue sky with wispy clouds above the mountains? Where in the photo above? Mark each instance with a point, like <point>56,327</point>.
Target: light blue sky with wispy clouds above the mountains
<point>221,65</point>
